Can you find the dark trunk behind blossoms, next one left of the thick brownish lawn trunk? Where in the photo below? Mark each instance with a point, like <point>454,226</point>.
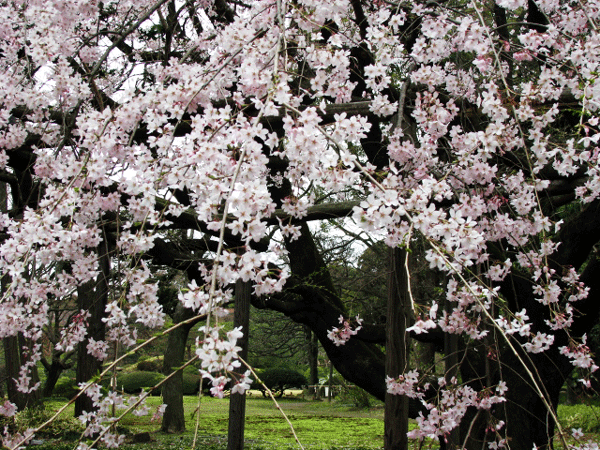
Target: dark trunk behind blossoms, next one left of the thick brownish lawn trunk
<point>92,297</point>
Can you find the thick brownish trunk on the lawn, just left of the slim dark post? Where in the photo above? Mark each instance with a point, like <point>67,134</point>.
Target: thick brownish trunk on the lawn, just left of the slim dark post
<point>173,420</point>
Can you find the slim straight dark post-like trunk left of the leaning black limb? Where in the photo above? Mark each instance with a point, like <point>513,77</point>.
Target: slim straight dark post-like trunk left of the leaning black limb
<point>237,401</point>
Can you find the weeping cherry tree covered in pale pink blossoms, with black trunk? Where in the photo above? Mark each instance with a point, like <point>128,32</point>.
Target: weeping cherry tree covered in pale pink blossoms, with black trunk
<point>469,125</point>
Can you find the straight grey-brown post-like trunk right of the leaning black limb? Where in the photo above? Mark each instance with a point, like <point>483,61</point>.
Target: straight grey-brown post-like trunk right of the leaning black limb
<point>396,406</point>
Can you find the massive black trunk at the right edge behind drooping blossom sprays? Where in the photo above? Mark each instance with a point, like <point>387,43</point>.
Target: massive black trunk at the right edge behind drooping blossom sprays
<point>534,381</point>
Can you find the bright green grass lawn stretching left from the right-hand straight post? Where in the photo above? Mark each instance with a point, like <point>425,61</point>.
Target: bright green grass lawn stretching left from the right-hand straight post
<point>318,424</point>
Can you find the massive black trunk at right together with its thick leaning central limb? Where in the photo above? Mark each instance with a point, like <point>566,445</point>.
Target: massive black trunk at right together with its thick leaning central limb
<point>311,300</point>
